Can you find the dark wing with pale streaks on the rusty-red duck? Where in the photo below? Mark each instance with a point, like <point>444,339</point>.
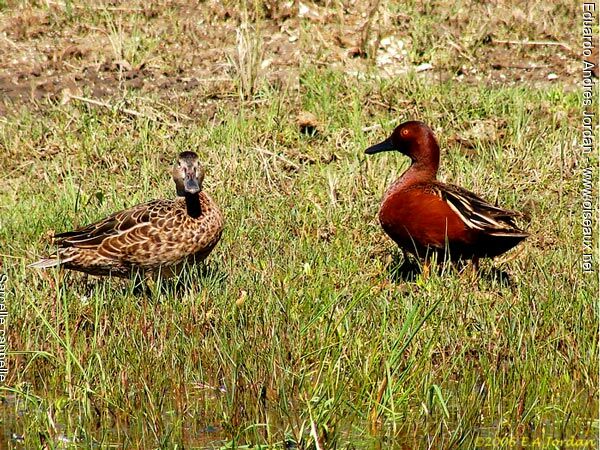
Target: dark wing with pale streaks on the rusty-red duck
<point>479,214</point>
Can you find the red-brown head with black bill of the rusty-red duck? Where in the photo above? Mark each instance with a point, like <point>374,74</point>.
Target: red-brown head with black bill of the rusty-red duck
<point>415,140</point>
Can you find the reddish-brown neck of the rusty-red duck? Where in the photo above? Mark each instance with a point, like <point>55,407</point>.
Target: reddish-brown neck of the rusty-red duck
<point>424,167</point>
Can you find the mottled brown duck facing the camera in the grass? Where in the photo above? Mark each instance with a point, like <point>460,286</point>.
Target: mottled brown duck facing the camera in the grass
<point>160,235</point>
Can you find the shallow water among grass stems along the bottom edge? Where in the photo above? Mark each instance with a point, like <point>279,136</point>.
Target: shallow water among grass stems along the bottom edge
<point>573,433</point>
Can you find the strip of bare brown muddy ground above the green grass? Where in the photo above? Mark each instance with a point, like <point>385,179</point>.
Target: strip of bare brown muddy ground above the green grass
<point>51,51</point>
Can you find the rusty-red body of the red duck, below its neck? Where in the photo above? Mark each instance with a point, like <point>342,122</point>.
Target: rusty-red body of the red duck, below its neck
<point>434,217</point>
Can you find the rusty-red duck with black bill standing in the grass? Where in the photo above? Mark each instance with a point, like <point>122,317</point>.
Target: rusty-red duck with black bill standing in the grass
<point>424,216</point>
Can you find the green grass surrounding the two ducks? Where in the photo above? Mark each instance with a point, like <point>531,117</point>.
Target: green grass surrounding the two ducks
<point>298,331</point>
